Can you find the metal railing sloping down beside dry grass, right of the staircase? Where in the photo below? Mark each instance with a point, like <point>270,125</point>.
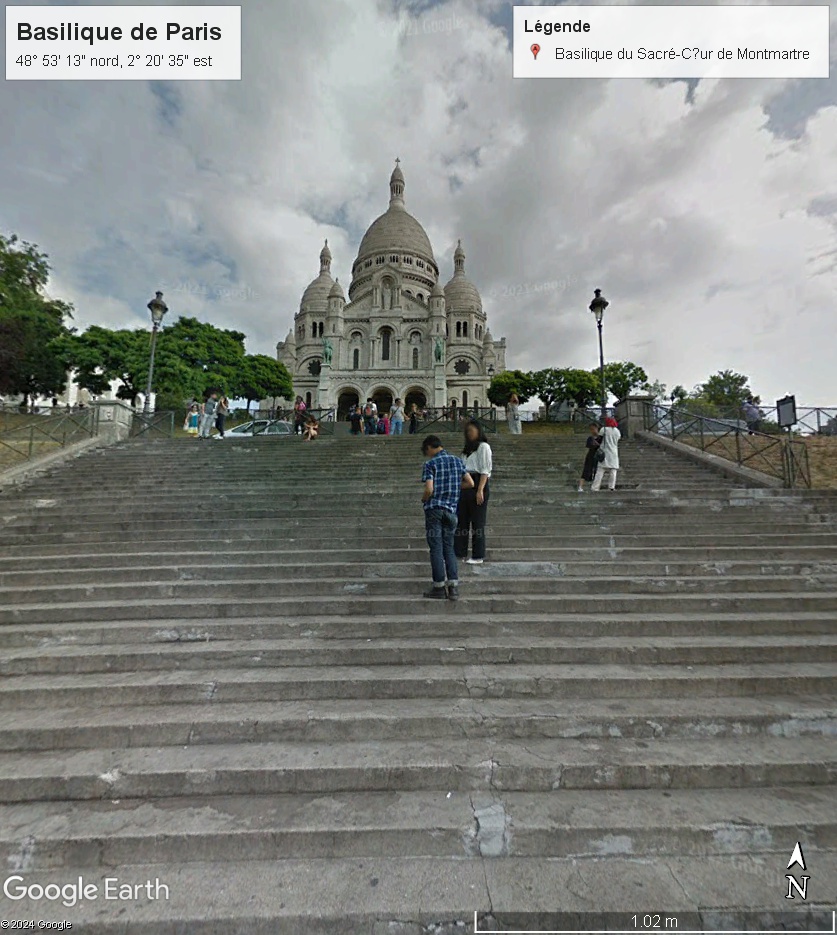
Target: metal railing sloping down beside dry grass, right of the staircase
<point>779,456</point>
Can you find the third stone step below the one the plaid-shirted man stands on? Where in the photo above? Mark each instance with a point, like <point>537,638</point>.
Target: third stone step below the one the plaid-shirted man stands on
<point>450,680</point>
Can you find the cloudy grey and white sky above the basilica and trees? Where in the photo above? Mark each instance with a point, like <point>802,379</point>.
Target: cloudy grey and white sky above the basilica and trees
<point>706,212</point>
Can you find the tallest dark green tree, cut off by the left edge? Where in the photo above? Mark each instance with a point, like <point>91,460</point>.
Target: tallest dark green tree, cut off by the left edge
<point>30,323</point>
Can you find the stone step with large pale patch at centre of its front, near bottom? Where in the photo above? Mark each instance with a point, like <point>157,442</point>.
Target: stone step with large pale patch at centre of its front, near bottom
<point>635,823</point>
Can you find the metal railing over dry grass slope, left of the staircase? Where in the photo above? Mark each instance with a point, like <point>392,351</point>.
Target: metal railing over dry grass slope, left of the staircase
<point>25,437</point>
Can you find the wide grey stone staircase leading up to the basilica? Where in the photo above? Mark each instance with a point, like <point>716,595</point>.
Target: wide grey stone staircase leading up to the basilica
<point>218,673</point>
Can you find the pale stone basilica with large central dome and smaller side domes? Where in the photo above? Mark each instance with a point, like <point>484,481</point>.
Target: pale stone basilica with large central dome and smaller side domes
<point>400,334</point>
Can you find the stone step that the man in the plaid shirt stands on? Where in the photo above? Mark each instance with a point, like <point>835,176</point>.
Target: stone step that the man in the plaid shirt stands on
<point>473,603</point>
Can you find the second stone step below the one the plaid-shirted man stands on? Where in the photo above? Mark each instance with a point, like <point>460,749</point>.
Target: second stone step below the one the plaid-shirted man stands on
<point>117,655</point>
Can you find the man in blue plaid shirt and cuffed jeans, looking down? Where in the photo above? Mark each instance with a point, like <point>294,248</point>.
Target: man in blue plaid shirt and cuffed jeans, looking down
<point>444,476</point>
